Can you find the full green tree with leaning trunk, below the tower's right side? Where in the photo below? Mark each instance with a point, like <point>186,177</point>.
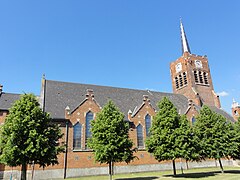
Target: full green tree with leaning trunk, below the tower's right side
<point>214,133</point>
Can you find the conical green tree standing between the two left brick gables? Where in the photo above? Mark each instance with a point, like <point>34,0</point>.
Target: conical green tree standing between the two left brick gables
<point>110,140</point>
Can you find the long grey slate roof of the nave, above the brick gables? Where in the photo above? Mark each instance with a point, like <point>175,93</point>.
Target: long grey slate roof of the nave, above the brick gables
<point>59,95</point>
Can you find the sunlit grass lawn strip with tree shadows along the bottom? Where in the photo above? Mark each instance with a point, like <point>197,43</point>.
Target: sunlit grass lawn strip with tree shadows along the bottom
<point>231,173</point>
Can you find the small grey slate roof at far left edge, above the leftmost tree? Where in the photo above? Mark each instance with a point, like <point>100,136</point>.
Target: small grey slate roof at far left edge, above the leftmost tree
<point>7,99</point>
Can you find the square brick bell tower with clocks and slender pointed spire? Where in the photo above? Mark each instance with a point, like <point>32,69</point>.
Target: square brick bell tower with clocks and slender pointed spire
<point>191,76</point>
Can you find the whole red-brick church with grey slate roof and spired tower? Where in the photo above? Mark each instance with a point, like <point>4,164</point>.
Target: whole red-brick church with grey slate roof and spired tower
<point>74,106</point>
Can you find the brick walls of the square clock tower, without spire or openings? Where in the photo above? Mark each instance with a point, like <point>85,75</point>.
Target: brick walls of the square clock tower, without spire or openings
<point>200,93</point>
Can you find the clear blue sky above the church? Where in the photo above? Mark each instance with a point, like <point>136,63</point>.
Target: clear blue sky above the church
<point>120,43</point>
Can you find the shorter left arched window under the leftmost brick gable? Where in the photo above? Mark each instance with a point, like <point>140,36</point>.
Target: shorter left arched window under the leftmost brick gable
<point>77,136</point>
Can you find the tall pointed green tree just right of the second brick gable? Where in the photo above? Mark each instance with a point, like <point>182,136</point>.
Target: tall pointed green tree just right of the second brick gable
<point>163,140</point>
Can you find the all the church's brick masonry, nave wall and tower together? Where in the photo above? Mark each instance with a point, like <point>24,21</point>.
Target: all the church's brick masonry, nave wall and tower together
<point>81,162</point>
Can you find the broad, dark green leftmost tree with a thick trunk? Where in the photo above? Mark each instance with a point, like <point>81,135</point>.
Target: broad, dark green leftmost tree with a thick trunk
<point>28,135</point>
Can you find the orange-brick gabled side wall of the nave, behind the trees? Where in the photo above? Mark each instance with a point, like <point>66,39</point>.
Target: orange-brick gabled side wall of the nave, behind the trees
<point>83,158</point>
